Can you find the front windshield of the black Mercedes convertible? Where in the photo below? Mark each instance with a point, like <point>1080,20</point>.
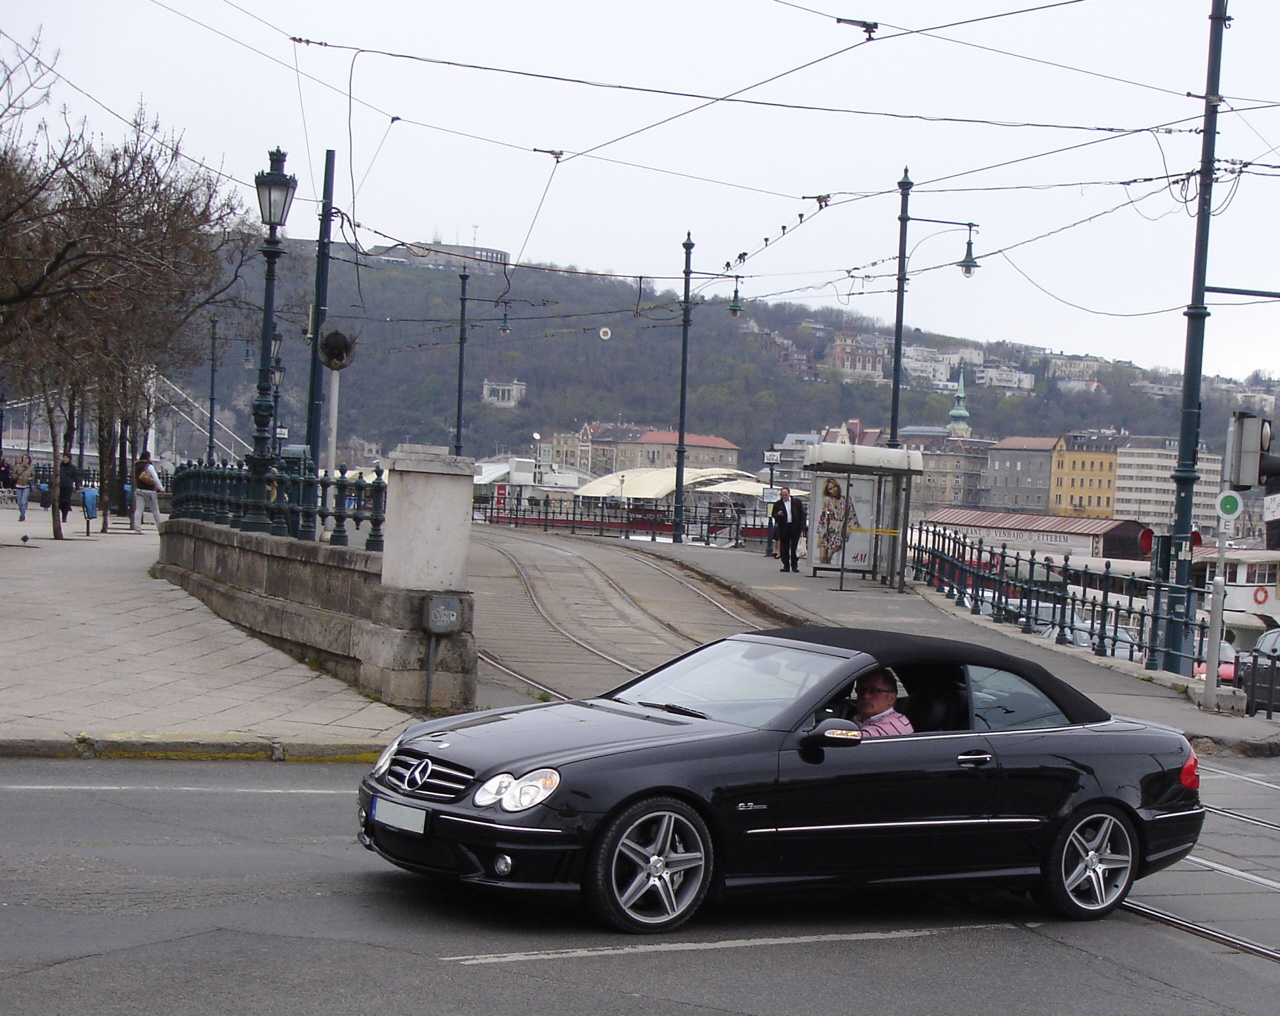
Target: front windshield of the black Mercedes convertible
<point>734,681</point>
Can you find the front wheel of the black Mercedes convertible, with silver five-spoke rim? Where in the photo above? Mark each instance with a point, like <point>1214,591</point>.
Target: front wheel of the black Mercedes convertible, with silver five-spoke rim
<point>651,868</point>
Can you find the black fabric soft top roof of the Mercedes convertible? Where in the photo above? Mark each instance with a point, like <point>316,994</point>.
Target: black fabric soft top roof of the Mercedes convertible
<point>897,649</point>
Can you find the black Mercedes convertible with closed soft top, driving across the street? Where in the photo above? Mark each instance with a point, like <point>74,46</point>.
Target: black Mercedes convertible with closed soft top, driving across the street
<point>740,766</point>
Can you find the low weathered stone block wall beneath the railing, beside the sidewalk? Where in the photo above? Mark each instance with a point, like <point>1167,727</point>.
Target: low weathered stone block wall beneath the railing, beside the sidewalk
<point>330,606</point>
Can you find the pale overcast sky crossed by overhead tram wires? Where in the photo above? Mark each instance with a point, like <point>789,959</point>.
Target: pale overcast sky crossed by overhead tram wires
<point>1027,125</point>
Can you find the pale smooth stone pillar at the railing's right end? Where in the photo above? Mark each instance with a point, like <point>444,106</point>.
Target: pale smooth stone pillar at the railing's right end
<point>428,519</point>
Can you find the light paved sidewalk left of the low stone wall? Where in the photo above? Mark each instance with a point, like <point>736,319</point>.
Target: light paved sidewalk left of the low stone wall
<point>107,662</point>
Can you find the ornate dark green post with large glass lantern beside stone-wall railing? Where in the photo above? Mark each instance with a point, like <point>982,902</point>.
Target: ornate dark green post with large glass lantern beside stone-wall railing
<point>275,196</point>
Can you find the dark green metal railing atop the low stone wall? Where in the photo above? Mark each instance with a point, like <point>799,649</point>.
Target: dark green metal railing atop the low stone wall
<point>299,501</point>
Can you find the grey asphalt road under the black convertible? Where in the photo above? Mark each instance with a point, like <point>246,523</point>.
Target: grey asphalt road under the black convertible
<point>239,887</point>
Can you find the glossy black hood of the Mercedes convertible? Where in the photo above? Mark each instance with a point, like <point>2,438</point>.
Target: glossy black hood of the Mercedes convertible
<point>557,734</point>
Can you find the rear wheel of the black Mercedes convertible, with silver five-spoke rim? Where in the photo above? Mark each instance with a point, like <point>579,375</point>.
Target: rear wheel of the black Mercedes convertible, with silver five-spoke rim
<point>1091,866</point>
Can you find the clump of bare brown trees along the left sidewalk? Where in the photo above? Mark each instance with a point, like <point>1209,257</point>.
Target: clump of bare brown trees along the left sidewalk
<point>109,251</point>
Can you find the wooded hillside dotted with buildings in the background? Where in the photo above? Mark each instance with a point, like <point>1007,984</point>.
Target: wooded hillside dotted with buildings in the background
<point>403,386</point>
